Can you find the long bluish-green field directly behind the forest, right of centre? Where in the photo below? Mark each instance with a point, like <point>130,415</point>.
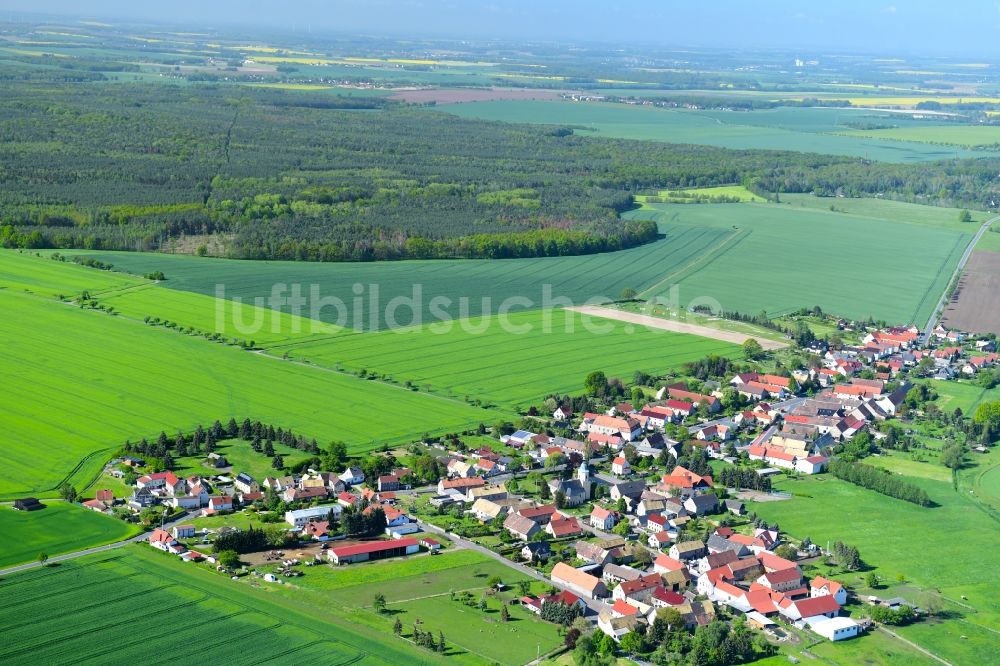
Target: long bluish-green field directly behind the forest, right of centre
<point>810,130</point>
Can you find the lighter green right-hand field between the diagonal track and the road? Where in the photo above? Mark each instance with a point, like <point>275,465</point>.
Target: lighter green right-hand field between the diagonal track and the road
<point>775,248</point>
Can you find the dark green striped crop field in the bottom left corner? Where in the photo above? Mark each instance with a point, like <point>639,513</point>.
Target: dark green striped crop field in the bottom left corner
<point>129,604</point>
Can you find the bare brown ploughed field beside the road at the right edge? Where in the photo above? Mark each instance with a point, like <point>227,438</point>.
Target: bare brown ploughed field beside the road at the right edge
<point>975,306</point>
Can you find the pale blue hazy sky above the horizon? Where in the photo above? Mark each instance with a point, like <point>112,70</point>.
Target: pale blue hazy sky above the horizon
<point>964,28</point>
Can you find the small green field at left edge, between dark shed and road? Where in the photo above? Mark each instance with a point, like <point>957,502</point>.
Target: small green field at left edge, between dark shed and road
<point>58,528</point>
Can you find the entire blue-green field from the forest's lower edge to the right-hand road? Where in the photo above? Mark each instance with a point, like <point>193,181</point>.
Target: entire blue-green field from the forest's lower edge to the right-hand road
<point>711,250</point>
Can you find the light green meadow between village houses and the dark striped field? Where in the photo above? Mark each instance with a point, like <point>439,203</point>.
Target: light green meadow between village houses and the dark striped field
<point>420,588</point>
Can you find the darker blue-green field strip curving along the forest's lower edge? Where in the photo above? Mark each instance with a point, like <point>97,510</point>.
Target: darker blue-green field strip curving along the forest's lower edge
<point>471,287</point>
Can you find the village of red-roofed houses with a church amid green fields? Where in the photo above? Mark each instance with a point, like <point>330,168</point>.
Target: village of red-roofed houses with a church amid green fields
<point>627,513</point>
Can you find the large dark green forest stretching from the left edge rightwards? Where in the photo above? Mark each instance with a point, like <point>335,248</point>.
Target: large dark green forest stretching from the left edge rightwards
<point>274,174</point>
